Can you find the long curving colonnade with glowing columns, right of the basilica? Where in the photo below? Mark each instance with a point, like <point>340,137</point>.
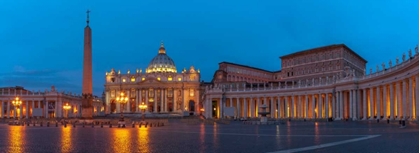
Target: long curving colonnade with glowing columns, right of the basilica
<point>392,100</point>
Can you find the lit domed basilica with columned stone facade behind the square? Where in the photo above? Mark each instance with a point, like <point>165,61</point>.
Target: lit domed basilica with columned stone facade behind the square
<point>160,87</point>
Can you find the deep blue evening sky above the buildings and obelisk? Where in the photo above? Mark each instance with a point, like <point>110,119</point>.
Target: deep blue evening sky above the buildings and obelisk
<point>42,41</point>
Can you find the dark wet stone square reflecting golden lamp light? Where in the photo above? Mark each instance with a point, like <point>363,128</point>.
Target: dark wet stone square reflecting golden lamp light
<point>220,138</point>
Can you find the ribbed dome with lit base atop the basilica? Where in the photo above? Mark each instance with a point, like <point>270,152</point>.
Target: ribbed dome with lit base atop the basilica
<point>161,62</point>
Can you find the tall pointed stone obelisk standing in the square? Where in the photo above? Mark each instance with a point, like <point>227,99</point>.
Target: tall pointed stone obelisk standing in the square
<point>87,97</point>
